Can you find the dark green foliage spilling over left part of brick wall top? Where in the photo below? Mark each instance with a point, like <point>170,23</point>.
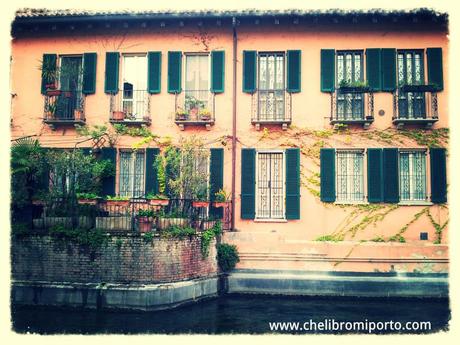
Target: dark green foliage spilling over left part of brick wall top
<point>93,238</point>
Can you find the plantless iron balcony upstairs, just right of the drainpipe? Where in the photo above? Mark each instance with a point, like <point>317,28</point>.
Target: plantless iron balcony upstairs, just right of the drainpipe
<point>271,107</point>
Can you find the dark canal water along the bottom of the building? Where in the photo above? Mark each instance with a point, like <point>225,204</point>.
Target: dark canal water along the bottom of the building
<point>237,314</point>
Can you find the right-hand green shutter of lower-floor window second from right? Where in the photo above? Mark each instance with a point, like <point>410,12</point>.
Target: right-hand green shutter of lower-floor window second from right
<point>375,175</point>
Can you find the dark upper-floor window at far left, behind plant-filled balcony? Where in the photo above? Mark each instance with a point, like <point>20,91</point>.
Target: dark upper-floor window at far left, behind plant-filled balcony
<point>70,83</point>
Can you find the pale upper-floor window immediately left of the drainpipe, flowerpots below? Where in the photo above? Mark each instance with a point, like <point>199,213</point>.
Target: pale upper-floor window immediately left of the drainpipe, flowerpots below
<point>196,82</point>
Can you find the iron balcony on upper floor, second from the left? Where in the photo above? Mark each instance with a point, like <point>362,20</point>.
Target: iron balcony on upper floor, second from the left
<point>130,107</point>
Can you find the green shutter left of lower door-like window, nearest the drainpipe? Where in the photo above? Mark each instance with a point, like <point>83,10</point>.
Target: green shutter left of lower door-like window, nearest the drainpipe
<point>248,183</point>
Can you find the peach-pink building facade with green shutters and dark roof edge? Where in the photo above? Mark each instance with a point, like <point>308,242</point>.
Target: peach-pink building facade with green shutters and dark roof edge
<point>329,130</point>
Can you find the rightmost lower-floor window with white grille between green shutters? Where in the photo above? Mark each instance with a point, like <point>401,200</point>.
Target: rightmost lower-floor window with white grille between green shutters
<point>412,175</point>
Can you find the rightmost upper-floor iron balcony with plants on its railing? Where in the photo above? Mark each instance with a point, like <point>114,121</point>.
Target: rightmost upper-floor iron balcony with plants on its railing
<point>415,105</point>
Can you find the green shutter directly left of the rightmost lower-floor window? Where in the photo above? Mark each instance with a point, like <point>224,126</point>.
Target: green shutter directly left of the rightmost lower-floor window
<point>390,175</point>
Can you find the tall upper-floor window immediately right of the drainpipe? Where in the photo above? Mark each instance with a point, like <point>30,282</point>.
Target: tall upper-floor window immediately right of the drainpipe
<point>271,87</point>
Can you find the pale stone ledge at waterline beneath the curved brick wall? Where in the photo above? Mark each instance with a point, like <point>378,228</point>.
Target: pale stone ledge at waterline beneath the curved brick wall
<point>113,296</point>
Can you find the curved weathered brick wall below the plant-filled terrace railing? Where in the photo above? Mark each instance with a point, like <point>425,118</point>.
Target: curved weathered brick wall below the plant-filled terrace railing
<point>41,258</point>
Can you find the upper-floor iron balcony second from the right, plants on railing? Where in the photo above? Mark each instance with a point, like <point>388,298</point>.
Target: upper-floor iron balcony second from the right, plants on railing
<point>352,106</point>
